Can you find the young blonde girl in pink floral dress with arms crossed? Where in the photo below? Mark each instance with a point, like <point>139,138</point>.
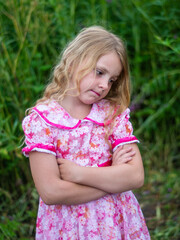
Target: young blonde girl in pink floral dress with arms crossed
<point>83,154</point>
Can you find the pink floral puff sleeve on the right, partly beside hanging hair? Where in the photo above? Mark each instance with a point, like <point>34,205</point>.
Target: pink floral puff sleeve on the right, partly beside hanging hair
<point>122,131</point>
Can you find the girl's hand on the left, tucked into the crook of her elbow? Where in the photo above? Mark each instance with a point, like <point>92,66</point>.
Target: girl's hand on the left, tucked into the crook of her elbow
<point>69,171</point>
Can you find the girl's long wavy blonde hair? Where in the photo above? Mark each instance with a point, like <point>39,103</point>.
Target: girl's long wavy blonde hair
<point>89,45</point>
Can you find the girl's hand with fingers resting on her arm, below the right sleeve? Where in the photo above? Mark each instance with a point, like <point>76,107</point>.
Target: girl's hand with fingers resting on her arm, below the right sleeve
<point>122,155</point>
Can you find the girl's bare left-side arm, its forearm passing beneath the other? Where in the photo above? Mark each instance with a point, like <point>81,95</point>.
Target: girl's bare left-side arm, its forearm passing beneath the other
<point>54,190</point>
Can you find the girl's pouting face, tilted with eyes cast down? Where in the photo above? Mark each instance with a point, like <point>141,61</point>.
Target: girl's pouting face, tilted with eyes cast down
<point>96,85</point>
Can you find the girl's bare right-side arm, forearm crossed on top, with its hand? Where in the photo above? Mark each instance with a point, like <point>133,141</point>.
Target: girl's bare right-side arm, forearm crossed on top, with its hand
<point>113,179</point>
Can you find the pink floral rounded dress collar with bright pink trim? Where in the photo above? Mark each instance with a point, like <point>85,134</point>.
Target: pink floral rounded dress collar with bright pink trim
<point>55,115</point>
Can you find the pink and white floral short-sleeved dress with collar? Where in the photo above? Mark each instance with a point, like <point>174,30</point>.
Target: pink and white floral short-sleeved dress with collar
<point>50,129</point>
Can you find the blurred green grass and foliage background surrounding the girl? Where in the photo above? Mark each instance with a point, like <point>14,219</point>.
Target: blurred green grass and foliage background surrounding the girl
<point>32,35</point>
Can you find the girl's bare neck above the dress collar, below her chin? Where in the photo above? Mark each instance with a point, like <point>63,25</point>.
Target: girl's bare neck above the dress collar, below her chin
<point>75,108</point>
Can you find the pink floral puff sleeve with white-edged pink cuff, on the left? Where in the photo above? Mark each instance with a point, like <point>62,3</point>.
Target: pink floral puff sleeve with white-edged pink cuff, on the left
<point>38,135</point>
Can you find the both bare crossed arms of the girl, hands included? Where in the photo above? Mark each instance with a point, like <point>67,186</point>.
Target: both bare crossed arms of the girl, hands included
<point>59,181</point>
